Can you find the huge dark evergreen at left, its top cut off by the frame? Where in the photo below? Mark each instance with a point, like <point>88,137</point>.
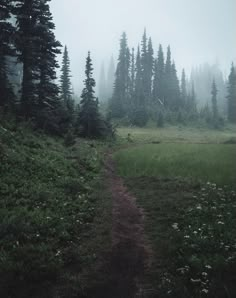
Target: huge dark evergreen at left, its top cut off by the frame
<point>37,49</point>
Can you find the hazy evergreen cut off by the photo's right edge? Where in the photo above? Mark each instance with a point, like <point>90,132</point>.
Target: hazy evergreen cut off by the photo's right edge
<point>231,97</point>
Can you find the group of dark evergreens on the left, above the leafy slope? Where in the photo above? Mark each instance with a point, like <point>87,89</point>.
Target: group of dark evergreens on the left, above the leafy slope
<point>27,38</point>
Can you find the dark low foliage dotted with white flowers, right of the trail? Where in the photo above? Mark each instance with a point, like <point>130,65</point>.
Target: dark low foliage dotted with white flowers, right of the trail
<point>192,231</point>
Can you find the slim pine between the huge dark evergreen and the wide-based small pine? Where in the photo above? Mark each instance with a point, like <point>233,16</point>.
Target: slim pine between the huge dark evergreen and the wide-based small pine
<point>66,87</point>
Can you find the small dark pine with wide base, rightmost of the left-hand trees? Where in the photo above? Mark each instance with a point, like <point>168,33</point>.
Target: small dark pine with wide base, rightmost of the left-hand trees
<point>90,123</point>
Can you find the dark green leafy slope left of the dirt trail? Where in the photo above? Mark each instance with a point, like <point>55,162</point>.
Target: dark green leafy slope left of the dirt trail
<point>48,214</point>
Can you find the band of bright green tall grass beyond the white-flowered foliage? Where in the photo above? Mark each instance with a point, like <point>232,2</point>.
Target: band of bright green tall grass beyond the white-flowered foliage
<point>207,162</point>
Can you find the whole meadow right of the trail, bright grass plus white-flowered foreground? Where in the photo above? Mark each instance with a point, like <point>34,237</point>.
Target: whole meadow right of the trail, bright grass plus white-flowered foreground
<point>187,190</point>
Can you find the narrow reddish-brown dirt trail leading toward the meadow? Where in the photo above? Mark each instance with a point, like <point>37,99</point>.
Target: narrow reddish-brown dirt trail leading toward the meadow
<point>131,254</point>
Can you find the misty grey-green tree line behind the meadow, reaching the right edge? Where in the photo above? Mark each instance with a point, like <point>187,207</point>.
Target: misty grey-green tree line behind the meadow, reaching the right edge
<point>148,88</point>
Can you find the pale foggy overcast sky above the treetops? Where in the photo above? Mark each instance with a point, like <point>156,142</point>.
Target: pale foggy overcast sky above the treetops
<point>198,31</point>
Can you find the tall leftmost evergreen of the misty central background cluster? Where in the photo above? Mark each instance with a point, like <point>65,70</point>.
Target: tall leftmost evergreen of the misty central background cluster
<point>120,96</point>
